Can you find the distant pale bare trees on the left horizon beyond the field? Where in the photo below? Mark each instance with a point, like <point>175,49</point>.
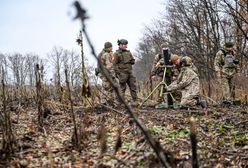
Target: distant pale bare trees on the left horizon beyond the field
<point>19,68</point>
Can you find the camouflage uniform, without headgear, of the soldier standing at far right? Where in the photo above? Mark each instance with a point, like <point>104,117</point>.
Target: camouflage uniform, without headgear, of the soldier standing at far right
<point>227,72</point>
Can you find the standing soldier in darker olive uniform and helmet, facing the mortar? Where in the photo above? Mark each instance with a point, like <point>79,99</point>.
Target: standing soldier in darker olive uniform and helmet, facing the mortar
<point>123,62</point>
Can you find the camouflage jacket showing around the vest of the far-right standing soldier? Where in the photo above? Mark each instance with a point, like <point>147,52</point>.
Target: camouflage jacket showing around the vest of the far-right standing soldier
<point>219,65</point>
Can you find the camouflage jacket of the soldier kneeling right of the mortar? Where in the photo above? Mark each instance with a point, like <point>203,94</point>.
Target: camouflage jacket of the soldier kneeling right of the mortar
<point>187,81</point>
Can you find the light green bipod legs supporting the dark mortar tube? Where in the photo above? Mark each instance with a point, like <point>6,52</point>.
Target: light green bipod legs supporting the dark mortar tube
<point>162,84</point>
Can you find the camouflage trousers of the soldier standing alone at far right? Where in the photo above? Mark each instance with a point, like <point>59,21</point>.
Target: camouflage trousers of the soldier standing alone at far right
<point>227,85</point>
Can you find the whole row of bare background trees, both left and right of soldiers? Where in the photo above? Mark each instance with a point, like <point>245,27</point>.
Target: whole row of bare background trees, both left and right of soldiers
<point>197,28</point>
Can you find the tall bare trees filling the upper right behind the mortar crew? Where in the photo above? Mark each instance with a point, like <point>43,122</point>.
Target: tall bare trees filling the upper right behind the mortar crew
<point>197,28</point>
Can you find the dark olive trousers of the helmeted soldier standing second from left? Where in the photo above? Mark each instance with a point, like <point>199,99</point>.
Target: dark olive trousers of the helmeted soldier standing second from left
<point>127,78</point>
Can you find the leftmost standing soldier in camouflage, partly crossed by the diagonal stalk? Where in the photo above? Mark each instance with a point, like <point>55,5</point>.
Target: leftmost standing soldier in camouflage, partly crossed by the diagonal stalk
<point>106,58</point>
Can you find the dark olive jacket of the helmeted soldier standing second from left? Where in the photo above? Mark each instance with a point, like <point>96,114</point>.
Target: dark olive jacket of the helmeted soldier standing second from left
<point>123,61</point>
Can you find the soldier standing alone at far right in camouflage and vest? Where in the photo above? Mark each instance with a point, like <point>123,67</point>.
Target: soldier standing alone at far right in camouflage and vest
<point>226,67</point>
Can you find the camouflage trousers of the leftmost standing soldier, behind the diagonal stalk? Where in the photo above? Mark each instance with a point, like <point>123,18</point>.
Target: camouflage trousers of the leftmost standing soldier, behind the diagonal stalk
<point>107,94</point>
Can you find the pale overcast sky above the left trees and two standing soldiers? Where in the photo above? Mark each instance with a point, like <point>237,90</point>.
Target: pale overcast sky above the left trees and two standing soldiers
<point>38,25</point>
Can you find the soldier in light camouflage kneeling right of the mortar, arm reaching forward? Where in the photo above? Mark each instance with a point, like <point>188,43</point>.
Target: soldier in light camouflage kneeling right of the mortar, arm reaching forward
<point>187,82</point>
